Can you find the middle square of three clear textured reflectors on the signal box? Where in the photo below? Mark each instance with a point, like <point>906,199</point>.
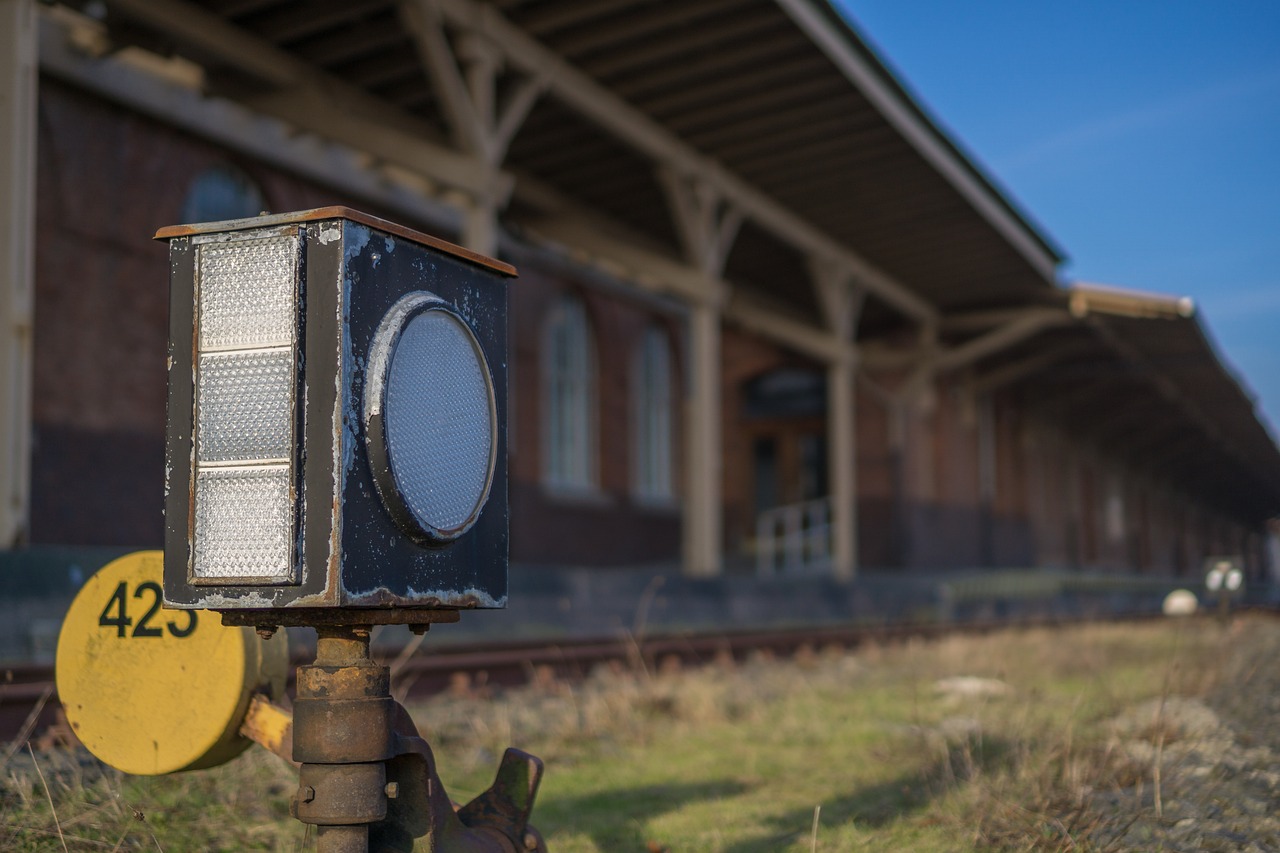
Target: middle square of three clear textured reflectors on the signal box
<point>245,409</point>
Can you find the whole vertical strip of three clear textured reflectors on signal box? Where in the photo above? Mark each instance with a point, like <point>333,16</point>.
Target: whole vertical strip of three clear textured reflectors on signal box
<point>246,378</point>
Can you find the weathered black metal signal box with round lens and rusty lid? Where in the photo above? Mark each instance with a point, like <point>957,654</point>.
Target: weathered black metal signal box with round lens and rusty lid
<point>336,448</point>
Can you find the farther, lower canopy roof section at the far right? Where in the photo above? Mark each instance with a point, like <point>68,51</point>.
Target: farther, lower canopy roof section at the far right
<point>1139,377</point>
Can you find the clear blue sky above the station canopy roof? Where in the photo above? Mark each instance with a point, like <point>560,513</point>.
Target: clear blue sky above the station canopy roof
<point>1144,136</point>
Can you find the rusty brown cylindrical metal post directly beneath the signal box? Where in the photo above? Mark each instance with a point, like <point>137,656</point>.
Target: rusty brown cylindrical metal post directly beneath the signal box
<point>342,737</point>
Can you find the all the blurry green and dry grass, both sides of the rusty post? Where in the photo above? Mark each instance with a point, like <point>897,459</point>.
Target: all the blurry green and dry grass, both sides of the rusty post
<point>732,760</point>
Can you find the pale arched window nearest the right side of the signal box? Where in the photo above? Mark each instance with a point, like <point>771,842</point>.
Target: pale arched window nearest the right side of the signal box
<point>570,398</point>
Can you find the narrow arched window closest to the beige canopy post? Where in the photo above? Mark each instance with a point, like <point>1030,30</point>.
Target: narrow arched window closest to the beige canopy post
<point>652,477</point>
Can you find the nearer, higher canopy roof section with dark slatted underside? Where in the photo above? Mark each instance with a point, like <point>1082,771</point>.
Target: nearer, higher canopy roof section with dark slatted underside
<point>780,99</point>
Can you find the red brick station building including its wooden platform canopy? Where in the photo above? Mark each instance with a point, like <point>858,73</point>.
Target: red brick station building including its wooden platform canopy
<point>770,317</point>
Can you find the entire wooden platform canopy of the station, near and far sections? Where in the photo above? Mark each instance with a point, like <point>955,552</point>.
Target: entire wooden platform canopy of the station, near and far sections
<point>789,135</point>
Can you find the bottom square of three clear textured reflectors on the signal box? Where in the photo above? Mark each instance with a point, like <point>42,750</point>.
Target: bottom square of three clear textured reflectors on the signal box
<point>244,523</point>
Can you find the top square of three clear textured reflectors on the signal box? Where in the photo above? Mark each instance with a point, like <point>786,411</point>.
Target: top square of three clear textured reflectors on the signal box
<point>246,293</point>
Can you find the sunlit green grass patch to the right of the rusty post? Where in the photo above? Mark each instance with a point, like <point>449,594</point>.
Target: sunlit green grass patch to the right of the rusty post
<point>740,761</point>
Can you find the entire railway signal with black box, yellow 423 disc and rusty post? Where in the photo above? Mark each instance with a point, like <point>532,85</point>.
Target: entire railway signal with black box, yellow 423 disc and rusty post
<point>336,458</point>
